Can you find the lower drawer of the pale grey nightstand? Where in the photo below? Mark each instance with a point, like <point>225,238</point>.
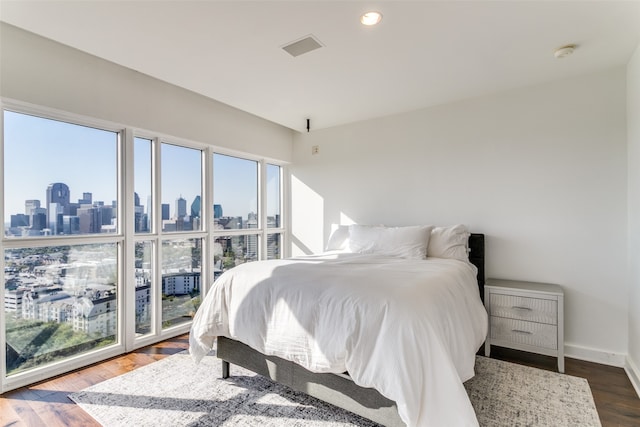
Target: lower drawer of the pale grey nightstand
<point>523,332</point>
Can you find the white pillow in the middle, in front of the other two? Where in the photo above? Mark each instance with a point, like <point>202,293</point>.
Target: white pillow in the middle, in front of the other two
<point>402,242</point>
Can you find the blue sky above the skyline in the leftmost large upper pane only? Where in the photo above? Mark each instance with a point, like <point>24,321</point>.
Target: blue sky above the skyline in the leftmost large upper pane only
<point>38,152</point>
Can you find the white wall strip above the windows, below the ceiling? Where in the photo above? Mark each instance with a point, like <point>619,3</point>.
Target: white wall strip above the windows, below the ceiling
<point>42,72</point>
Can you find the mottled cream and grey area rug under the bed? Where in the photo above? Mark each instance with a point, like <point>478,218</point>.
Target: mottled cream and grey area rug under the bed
<point>176,392</point>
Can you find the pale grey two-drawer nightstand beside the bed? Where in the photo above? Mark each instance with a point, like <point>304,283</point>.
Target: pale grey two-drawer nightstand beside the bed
<point>526,316</point>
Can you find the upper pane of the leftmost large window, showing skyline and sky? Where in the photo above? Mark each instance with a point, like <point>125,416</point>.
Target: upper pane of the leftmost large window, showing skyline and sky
<point>60,179</point>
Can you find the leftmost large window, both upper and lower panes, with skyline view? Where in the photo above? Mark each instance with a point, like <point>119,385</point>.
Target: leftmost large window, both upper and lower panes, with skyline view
<point>61,297</point>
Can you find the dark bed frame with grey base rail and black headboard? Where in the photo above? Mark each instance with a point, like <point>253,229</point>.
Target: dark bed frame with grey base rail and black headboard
<point>336,389</point>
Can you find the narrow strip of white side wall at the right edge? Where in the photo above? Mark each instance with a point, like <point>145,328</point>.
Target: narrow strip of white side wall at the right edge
<point>633,136</point>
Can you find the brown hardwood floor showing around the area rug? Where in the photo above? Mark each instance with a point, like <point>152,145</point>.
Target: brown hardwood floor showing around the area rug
<point>47,404</point>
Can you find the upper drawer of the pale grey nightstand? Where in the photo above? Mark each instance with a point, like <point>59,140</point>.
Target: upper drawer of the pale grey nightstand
<point>524,308</point>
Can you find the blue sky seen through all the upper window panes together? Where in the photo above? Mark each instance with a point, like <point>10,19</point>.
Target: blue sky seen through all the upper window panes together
<point>38,152</point>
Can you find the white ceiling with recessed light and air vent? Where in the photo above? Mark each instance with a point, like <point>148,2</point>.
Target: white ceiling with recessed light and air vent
<point>422,54</point>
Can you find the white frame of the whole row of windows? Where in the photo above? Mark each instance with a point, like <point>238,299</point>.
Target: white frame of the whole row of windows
<point>126,238</point>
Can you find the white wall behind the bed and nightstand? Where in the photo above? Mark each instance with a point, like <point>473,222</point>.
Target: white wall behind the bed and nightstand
<point>542,171</point>
